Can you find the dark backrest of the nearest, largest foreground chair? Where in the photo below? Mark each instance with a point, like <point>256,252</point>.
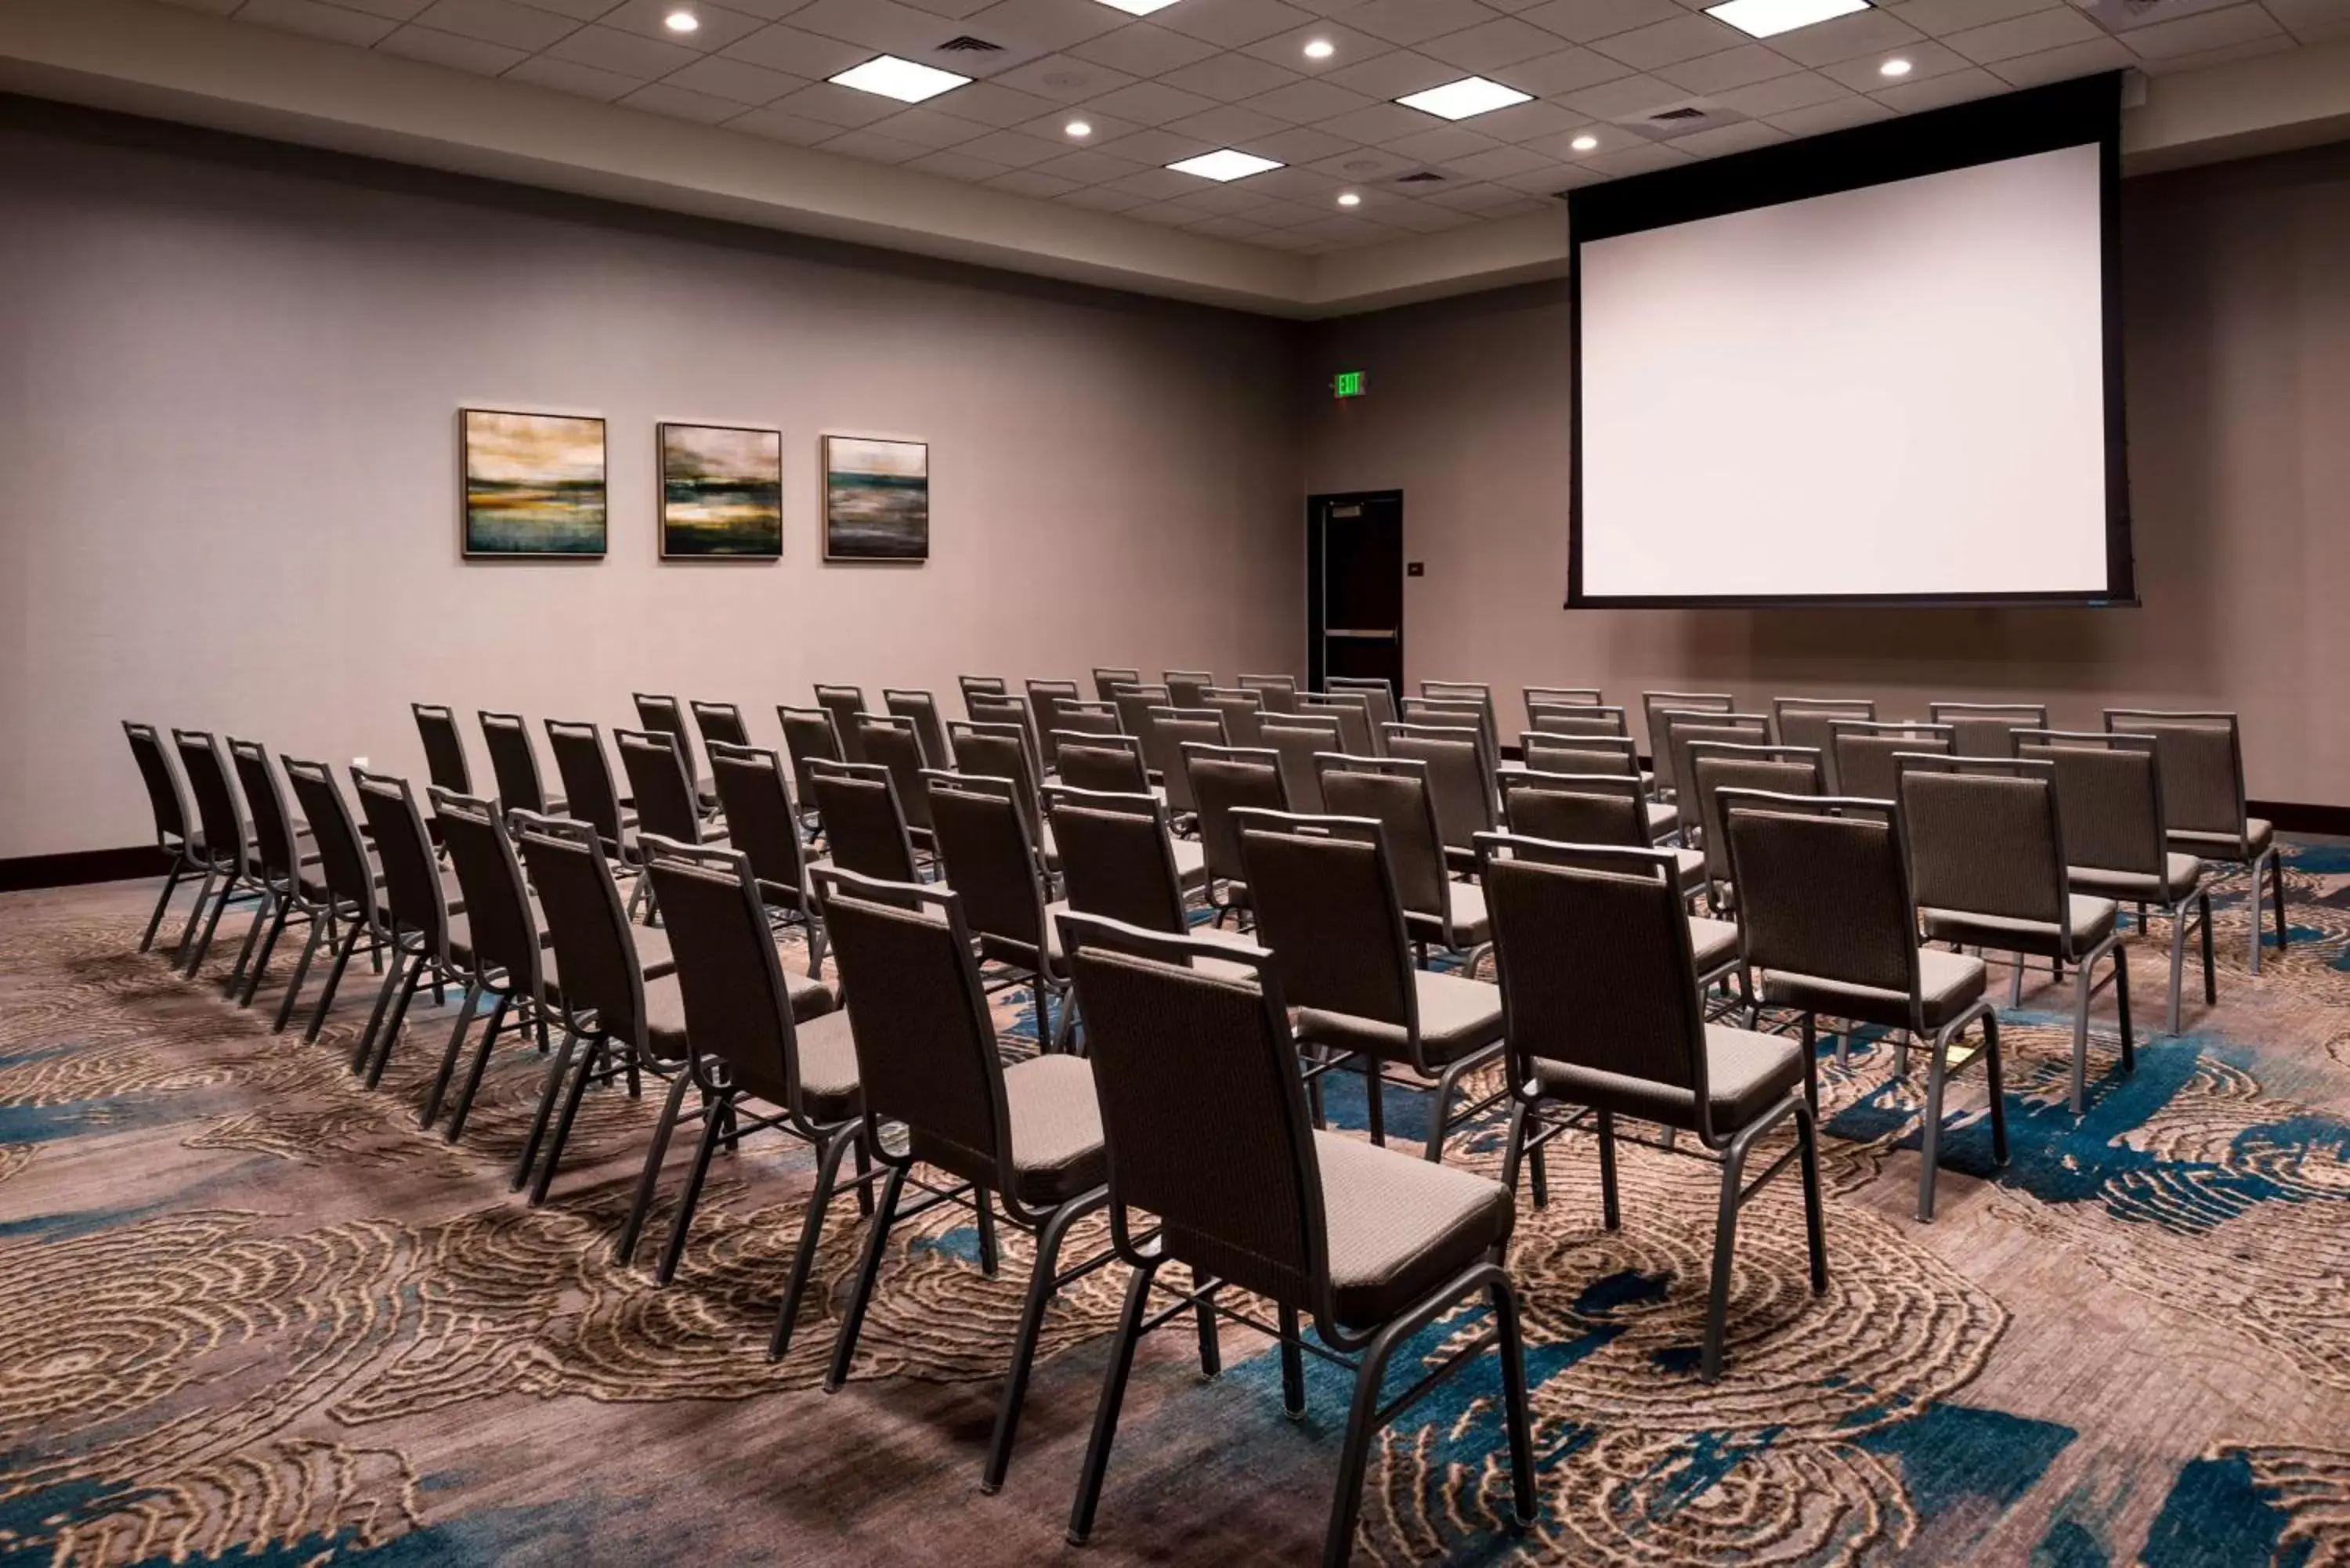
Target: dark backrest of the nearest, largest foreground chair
<point>1240,1202</point>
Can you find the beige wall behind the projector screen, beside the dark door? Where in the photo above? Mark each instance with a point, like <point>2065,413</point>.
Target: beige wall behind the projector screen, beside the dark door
<point>2238,344</point>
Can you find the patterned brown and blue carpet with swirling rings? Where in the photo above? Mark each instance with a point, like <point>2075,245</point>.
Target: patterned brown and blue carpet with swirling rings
<point>250,1311</point>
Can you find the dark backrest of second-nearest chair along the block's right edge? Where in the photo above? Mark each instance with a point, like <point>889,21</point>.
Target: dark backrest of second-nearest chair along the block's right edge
<point>1630,1003</point>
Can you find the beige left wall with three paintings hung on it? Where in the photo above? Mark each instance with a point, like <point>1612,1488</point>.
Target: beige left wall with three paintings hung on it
<point>229,387</point>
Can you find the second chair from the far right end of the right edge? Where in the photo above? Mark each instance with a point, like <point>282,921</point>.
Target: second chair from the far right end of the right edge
<point>2116,836</point>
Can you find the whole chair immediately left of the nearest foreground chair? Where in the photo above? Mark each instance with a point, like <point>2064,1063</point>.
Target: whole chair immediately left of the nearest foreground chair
<point>1023,1137</point>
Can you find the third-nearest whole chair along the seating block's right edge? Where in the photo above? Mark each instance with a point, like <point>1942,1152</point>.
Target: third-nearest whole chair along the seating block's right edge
<point>1829,927</point>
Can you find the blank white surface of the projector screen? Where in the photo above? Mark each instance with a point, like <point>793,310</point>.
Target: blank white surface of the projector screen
<point>1895,391</point>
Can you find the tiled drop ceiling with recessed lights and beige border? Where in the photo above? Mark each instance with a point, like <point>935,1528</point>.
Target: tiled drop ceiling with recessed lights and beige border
<point>739,119</point>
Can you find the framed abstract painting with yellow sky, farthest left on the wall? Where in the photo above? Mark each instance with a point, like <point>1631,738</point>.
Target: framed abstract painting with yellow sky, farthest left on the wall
<point>563,469</point>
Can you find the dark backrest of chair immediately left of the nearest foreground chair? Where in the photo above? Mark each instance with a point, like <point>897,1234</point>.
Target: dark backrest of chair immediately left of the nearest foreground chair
<point>927,1047</point>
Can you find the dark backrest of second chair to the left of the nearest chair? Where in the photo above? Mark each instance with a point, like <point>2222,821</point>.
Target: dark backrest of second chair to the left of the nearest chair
<point>727,970</point>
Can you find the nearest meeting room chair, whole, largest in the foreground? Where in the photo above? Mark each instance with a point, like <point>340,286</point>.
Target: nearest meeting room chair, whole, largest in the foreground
<point>1275,1209</point>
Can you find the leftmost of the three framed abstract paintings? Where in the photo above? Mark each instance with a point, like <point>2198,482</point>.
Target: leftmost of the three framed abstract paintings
<point>535,485</point>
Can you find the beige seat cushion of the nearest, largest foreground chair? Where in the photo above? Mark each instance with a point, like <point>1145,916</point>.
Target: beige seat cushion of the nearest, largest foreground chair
<point>1402,1226</point>
